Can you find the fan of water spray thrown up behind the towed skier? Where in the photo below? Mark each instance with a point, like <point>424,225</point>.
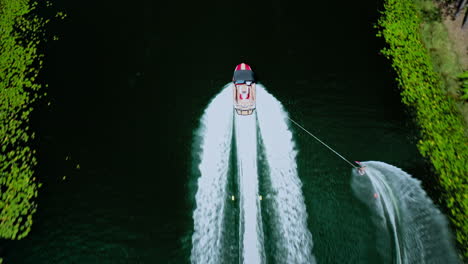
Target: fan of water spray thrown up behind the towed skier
<point>410,229</point>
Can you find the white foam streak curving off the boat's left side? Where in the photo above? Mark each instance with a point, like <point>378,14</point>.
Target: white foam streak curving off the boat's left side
<point>216,134</point>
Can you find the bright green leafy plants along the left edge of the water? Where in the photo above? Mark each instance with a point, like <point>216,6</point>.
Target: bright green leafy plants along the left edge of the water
<point>19,66</point>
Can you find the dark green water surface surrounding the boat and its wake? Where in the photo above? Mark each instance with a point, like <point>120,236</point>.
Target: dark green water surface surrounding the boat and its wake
<point>128,82</point>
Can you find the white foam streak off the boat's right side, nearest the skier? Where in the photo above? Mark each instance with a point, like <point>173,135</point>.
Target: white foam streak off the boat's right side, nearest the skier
<point>294,243</point>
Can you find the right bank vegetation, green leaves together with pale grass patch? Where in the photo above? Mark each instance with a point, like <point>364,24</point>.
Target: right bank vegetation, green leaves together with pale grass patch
<point>429,73</point>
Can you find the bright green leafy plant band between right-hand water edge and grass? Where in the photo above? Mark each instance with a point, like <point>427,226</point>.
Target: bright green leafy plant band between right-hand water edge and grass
<point>442,139</point>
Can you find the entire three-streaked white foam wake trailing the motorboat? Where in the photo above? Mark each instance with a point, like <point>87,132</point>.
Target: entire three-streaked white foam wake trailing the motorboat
<point>293,241</point>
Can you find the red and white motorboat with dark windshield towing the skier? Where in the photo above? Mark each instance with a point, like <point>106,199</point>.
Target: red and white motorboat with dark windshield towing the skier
<point>244,89</point>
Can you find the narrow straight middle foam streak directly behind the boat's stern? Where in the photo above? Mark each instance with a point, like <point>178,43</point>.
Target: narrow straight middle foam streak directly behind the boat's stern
<point>250,217</point>
